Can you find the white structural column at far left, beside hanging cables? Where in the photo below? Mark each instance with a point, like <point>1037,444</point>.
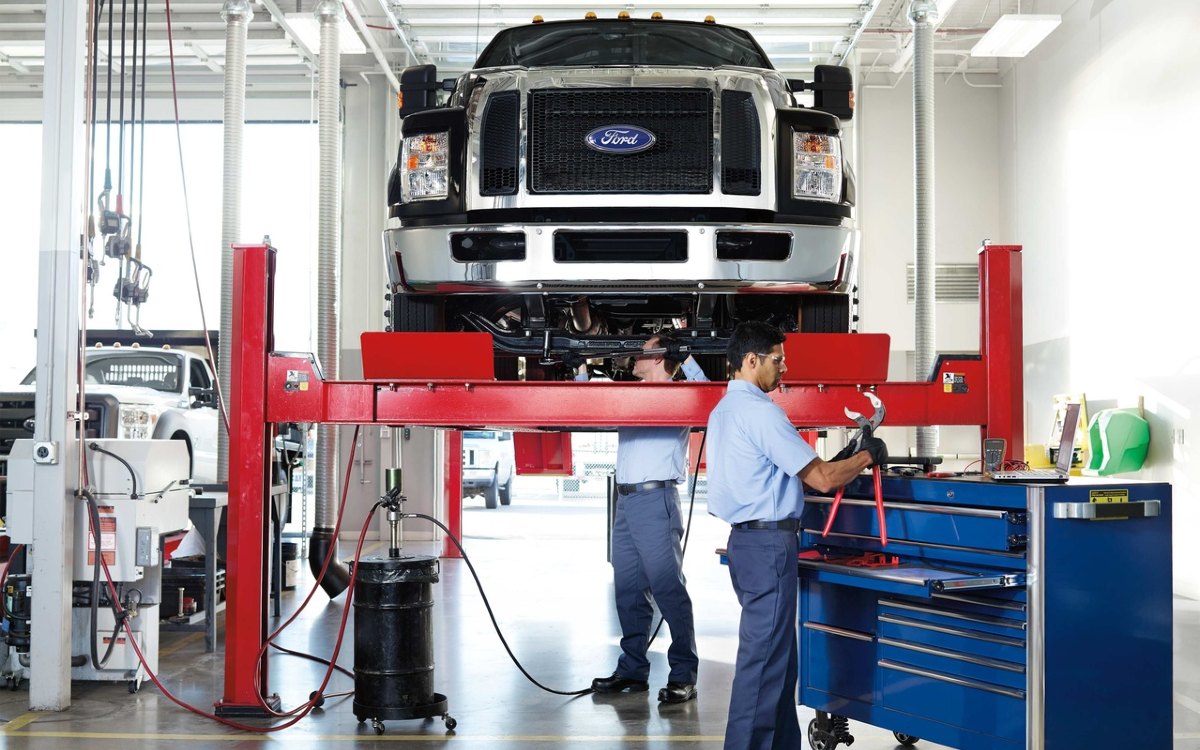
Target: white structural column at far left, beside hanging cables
<point>58,355</point>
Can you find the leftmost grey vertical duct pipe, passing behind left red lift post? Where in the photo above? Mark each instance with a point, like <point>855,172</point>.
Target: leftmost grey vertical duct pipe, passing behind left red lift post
<point>237,15</point>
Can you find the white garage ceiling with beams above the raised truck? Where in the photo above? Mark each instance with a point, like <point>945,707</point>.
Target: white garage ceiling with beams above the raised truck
<point>796,34</point>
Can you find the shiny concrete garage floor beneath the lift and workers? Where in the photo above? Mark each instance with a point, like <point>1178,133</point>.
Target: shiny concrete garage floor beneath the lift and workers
<point>543,565</point>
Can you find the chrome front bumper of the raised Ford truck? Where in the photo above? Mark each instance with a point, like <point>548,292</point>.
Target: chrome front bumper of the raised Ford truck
<point>419,260</point>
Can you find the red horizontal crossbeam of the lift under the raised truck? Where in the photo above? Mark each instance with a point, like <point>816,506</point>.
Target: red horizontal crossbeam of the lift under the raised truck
<point>538,405</point>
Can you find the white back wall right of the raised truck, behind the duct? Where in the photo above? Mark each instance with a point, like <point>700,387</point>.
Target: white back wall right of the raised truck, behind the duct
<point>968,212</point>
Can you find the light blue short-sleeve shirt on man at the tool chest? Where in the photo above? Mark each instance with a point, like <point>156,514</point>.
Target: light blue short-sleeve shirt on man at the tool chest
<point>754,458</point>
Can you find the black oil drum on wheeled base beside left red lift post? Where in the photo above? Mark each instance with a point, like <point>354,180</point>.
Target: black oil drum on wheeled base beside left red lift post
<point>394,639</point>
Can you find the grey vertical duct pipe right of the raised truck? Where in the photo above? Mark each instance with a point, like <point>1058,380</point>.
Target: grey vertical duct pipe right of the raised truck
<point>923,15</point>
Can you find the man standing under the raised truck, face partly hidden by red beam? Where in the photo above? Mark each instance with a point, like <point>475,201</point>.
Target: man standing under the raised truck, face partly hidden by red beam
<point>647,557</point>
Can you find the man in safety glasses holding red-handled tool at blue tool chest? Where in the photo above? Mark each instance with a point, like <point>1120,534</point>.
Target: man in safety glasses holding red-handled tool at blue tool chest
<point>758,467</point>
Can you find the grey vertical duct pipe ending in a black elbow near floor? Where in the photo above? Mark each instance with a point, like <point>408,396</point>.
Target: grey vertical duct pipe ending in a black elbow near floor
<point>329,15</point>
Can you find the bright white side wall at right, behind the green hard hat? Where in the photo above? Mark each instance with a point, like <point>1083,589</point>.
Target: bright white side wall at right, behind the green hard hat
<point>1101,123</point>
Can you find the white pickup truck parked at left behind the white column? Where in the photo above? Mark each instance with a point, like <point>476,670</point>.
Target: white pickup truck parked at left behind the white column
<point>134,392</point>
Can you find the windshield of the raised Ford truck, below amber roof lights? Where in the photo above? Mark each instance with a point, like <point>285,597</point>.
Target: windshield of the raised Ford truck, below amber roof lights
<point>607,43</point>
